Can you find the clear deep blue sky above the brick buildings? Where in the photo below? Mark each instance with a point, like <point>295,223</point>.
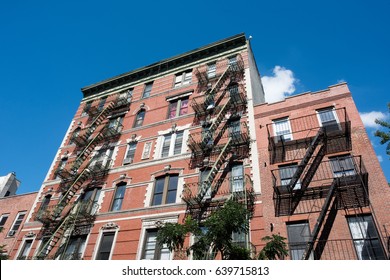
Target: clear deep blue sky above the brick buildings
<point>51,49</point>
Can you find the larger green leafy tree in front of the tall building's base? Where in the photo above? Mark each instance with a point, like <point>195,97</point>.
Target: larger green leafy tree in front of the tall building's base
<point>212,236</point>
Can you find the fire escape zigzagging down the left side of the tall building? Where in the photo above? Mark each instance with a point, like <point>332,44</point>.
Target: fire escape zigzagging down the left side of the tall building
<point>72,213</point>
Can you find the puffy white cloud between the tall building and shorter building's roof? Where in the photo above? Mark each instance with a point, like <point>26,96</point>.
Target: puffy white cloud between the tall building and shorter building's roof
<point>280,85</point>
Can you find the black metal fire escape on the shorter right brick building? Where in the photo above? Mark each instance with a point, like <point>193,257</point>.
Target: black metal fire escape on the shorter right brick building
<point>312,184</point>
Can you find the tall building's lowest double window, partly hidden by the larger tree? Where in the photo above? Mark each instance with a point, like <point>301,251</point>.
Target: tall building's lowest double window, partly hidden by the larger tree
<point>151,250</point>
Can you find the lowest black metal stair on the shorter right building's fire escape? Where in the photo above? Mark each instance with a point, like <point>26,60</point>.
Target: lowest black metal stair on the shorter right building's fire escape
<point>320,220</point>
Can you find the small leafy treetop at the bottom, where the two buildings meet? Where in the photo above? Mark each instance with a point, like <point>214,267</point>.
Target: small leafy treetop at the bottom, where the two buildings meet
<point>275,248</point>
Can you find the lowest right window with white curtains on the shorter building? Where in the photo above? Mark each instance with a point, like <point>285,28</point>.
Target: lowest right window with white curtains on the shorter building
<point>365,238</point>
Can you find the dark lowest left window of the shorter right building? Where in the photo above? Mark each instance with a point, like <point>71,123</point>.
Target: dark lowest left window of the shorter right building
<point>298,235</point>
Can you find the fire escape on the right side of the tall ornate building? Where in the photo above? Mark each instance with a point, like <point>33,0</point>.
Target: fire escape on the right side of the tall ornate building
<point>223,140</point>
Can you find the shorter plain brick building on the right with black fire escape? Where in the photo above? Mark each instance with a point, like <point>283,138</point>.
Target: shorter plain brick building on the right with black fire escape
<point>321,183</point>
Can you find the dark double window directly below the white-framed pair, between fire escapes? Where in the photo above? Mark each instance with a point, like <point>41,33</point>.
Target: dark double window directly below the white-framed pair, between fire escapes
<point>165,190</point>
